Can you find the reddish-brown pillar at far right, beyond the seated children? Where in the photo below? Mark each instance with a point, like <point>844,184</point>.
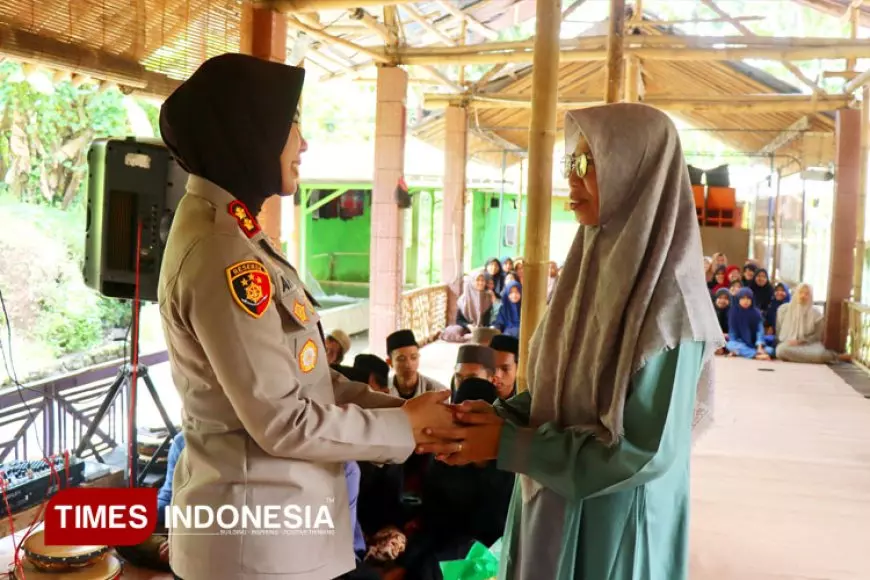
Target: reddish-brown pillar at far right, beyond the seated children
<point>843,234</point>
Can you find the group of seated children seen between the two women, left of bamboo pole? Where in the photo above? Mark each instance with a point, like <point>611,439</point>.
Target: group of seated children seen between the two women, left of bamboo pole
<point>492,298</point>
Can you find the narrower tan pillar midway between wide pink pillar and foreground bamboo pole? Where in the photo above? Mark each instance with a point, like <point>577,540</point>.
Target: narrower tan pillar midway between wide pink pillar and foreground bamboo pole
<point>453,217</point>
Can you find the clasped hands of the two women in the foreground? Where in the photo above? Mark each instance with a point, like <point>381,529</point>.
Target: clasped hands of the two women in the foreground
<point>455,434</point>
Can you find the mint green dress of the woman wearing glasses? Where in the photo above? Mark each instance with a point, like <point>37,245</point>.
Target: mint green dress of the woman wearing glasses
<point>619,513</point>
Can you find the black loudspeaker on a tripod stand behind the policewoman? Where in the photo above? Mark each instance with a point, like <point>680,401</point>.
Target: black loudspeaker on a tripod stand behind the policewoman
<point>130,181</point>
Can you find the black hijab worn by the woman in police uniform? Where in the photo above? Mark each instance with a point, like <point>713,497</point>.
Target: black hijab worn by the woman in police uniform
<point>229,123</point>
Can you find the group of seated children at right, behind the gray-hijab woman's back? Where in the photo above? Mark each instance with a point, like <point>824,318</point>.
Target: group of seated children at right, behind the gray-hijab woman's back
<point>760,320</point>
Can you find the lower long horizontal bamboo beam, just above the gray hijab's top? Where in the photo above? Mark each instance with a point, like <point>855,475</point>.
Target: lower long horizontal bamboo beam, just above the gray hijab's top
<point>763,103</point>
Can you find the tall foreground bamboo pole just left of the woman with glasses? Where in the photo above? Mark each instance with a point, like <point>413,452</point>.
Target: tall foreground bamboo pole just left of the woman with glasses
<point>542,136</point>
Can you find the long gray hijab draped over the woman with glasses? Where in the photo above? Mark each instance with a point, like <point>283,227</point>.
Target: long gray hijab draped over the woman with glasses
<point>632,287</point>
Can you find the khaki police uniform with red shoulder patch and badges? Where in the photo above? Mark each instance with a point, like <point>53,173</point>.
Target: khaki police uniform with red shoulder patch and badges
<point>263,421</point>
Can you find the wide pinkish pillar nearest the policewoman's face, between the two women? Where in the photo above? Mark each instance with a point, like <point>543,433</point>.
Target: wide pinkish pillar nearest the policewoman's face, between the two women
<point>387,244</point>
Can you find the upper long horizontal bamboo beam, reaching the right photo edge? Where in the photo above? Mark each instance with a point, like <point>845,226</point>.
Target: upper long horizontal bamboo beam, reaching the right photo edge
<point>482,56</point>
